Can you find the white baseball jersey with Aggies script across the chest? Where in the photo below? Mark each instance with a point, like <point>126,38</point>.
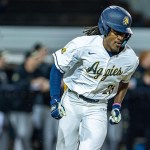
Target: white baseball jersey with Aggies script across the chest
<point>89,70</point>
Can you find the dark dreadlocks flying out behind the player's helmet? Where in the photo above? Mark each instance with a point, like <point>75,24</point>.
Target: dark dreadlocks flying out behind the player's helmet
<point>91,31</point>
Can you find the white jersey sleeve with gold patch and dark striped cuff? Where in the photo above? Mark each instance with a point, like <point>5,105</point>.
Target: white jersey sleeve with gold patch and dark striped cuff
<point>67,57</point>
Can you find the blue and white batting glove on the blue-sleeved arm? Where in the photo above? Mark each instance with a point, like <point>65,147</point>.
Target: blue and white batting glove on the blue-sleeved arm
<point>57,110</point>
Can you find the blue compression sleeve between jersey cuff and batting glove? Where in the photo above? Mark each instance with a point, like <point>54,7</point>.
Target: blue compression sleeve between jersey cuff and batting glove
<point>55,82</point>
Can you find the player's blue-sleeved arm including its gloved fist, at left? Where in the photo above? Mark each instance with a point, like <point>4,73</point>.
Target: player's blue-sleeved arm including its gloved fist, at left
<point>57,110</point>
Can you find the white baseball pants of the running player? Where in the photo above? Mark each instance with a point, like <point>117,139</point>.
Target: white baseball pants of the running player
<point>84,126</point>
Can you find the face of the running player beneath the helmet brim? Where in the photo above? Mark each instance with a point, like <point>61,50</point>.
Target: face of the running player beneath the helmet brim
<point>114,40</point>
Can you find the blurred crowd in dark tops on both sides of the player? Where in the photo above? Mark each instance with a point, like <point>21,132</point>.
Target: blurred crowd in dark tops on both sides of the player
<point>25,121</point>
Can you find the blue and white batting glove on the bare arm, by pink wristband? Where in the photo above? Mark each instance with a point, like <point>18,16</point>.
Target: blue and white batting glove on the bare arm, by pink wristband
<point>115,117</point>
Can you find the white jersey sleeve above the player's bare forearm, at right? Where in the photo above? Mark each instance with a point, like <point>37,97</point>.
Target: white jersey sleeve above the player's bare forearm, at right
<point>130,72</point>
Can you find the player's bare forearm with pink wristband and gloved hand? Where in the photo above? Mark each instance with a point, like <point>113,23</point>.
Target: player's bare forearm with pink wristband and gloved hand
<point>115,117</point>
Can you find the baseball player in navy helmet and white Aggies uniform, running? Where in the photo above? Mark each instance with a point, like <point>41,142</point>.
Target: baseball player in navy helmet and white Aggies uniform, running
<point>95,67</point>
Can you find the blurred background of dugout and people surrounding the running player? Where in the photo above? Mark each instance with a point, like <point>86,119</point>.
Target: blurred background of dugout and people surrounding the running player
<point>30,31</point>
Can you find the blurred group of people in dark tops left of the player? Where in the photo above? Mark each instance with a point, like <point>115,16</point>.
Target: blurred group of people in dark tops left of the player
<point>24,103</point>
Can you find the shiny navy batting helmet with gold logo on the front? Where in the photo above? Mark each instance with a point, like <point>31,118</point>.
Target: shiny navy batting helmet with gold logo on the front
<point>117,18</point>
